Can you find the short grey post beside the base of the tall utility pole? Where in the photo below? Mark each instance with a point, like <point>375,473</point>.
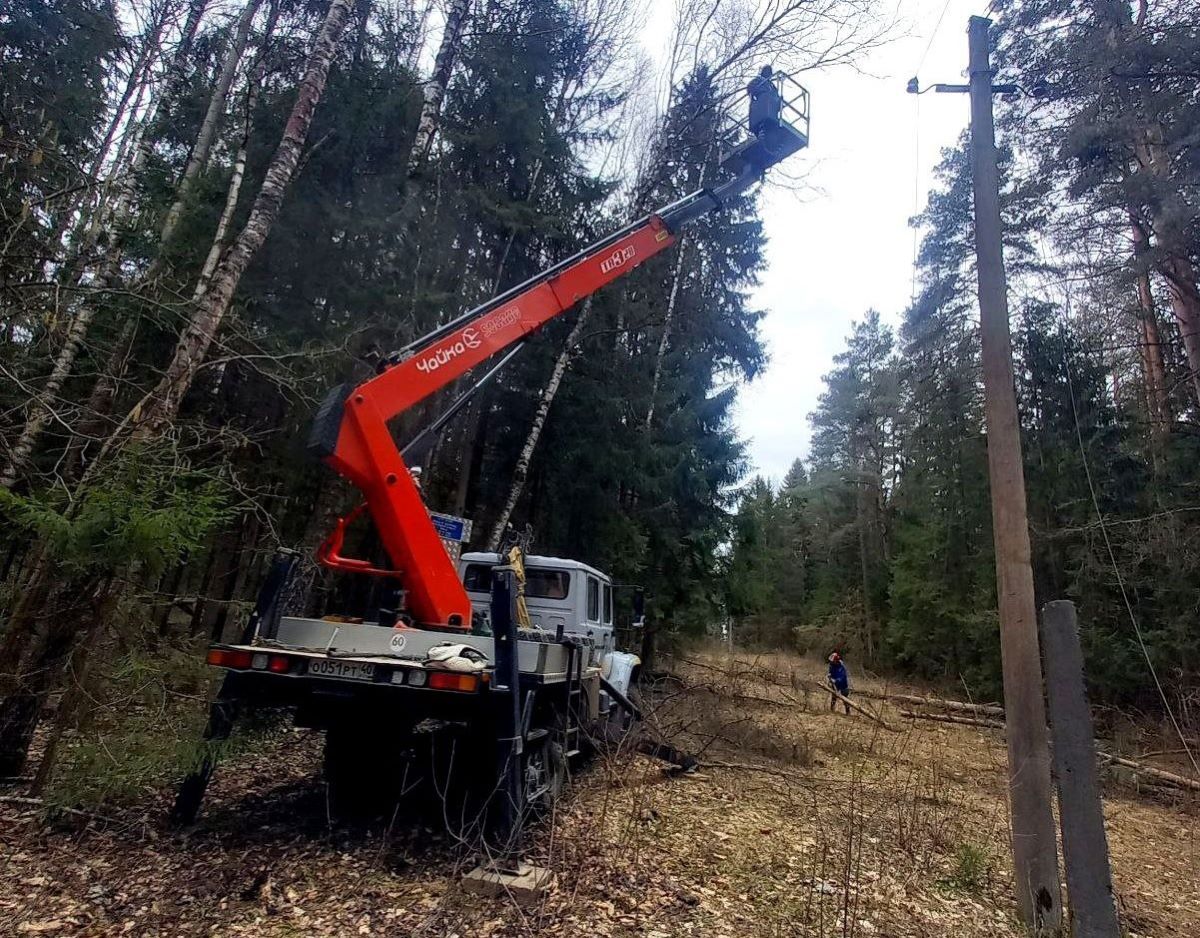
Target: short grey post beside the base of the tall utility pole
<point>1084,846</point>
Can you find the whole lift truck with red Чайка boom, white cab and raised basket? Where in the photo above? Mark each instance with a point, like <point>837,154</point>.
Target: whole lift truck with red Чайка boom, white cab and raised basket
<point>515,653</point>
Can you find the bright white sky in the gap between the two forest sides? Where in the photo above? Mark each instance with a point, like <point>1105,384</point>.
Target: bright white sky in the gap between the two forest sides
<point>847,246</point>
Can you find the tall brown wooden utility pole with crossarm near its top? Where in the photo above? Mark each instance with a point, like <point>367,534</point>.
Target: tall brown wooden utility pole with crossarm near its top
<point>1035,849</point>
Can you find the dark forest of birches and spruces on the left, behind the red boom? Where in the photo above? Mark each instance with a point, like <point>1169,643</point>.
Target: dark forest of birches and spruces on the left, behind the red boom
<point>215,211</point>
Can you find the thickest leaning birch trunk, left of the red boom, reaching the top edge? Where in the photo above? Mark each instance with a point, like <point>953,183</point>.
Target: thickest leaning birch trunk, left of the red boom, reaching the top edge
<point>161,407</point>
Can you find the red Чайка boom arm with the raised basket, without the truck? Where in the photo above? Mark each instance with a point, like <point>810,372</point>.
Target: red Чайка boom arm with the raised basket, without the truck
<point>351,431</point>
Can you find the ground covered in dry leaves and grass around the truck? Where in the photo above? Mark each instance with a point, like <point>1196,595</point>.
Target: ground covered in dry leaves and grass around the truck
<point>801,822</point>
